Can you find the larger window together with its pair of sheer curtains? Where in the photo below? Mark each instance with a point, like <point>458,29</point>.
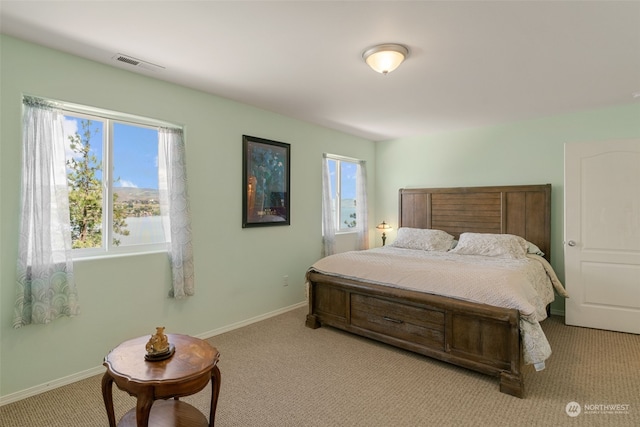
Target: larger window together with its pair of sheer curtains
<point>69,192</point>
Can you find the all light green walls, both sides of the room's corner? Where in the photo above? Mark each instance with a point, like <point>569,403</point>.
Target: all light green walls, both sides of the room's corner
<point>238,271</point>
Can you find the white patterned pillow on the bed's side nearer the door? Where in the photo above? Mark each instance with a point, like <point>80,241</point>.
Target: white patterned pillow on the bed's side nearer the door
<point>495,245</point>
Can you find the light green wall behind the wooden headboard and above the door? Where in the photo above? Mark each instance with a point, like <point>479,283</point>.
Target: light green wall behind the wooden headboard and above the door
<point>527,152</point>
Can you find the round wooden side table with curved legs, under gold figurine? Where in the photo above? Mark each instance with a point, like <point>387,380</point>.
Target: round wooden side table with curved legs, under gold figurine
<point>186,372</point>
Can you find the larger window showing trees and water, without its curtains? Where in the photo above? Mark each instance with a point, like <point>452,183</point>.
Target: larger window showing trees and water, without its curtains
<point>112,176</point>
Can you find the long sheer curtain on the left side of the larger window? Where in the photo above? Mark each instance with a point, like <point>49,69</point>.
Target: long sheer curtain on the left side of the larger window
<point>45,286</point>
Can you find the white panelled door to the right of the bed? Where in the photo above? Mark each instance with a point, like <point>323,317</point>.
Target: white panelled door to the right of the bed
<point>602,235</point>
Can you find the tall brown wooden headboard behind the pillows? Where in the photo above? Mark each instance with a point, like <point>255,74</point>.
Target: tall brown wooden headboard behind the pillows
<point>523,210</point>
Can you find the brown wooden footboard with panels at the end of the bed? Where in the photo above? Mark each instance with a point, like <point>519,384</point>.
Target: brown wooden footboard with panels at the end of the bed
<point>475,336</point>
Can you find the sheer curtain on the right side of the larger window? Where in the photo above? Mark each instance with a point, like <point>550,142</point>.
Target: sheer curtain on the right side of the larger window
<point>174,208</point>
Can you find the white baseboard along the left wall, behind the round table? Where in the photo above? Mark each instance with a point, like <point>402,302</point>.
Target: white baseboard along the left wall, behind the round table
<point>50,385</point>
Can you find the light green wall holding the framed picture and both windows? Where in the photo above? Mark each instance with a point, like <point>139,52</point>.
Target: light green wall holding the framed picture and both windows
<point>239,272</point>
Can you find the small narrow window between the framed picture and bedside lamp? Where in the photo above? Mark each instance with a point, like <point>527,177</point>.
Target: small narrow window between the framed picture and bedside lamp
<point>343,177</point>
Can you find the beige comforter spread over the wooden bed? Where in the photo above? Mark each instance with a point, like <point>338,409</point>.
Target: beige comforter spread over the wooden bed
<point>524,284</point>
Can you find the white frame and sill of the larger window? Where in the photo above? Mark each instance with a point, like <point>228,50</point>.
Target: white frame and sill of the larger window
<point>109,118</point>
